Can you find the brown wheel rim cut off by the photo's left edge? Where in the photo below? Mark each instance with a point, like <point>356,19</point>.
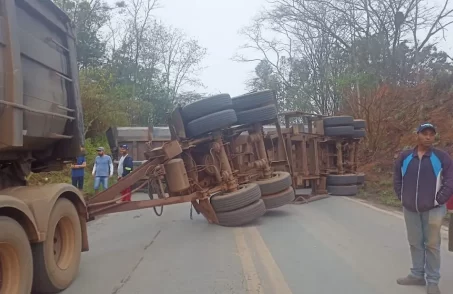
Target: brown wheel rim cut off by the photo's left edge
<point>9,269</point>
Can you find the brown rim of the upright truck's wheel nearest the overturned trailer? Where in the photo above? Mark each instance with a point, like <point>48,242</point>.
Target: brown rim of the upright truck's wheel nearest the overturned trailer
<point>63,243</point>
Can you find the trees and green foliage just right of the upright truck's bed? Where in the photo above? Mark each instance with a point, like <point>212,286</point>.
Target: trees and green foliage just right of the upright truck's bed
<point>133,69</point>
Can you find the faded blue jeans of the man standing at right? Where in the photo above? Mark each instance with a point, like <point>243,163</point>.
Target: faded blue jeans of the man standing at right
<point>423,234</point>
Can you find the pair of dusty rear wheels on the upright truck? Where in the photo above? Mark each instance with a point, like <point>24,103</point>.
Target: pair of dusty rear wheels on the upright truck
<point>47,267</point>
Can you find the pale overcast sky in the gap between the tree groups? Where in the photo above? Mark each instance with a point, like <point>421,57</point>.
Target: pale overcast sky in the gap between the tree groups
<point>215,24</point>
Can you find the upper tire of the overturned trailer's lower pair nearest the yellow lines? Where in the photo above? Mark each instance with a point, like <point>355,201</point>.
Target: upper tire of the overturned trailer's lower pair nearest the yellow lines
<point>245,195</point>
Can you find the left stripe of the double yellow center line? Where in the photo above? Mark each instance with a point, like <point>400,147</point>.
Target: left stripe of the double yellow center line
<point>250,274</point>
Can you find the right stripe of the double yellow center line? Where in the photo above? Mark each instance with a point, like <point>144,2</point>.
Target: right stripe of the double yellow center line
<point>275,276</point>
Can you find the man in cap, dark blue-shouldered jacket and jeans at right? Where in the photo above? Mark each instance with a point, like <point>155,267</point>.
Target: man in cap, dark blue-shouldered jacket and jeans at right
<point>423,181</point>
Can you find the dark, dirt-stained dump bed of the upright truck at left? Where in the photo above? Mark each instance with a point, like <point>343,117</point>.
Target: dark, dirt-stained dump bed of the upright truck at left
<point>40,108</point>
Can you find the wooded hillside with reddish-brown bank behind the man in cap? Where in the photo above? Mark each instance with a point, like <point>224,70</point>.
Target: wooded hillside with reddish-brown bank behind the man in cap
<point>374,59</point>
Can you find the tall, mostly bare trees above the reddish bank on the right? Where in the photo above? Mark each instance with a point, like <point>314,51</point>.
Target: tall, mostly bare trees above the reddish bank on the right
<point>316,46</point>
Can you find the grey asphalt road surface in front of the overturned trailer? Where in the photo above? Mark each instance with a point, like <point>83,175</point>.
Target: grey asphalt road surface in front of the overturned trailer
<point>329,246</point>
